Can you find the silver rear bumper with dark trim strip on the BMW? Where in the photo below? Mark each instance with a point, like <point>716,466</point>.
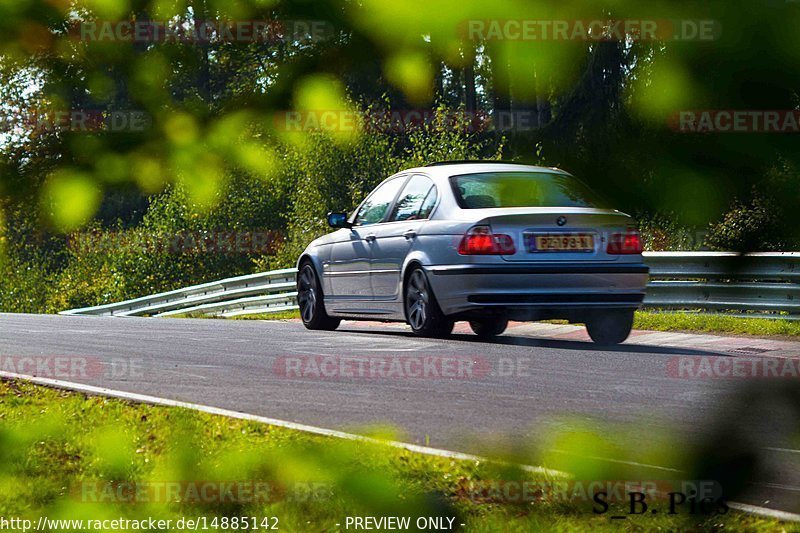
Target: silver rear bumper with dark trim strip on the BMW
<point>562,286</point>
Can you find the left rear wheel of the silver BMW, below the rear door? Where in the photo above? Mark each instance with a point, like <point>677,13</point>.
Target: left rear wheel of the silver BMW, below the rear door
<point>423,313</point>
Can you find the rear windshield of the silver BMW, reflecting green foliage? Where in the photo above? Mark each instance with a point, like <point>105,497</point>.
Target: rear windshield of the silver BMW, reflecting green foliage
<point>522,189</point>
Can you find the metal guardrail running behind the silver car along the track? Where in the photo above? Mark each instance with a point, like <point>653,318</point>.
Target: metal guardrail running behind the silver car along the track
<point>707,281</point>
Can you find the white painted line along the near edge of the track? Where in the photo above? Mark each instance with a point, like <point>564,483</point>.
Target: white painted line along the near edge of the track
<point>154,400</point>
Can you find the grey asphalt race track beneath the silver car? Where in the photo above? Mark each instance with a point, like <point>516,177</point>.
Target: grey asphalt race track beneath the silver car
<point>511,390</point>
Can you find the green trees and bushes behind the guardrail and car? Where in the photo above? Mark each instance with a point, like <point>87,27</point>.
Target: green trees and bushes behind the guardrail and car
<point>206,118</point>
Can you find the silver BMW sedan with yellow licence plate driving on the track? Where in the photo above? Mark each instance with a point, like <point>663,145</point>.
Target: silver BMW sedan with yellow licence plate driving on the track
<point>477,241</point>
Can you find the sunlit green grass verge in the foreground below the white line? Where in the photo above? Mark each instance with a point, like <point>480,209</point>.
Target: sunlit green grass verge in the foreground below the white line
<point>69,456</point>
